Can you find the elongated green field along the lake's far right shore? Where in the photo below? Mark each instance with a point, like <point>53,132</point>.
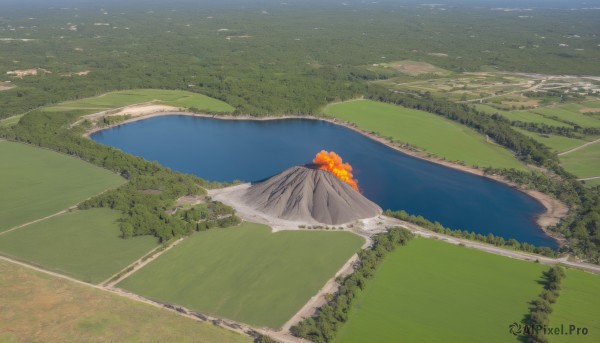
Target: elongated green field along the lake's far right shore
<point>434,134</point>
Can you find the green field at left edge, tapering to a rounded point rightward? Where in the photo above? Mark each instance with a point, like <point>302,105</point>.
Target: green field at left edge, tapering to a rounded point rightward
<point>35,183</point>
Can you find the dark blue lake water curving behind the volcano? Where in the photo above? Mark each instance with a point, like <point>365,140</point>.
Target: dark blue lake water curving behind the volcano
<point>224,150</point>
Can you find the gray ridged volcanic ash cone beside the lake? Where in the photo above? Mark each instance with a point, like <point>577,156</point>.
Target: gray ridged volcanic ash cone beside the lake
<point>311,195</point>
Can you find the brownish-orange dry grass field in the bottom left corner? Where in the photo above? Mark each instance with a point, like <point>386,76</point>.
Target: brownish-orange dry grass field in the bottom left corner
<point>36,307</point>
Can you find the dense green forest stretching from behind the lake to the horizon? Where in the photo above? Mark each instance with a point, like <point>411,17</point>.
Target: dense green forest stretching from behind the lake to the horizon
<point>272,58</point>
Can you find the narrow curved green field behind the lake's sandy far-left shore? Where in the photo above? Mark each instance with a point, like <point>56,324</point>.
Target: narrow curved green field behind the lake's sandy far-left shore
<point>130,97</point>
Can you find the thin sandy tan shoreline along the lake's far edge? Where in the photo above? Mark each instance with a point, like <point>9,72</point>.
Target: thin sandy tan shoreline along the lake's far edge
<point>554,209</point>
